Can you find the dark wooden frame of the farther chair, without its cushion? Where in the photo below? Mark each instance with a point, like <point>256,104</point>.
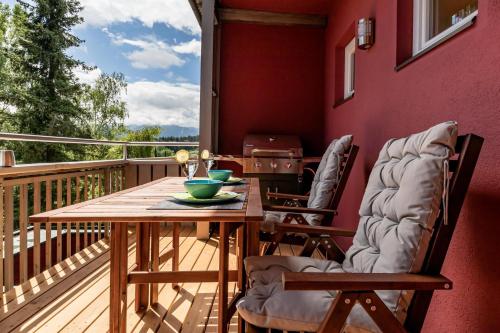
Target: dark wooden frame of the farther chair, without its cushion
<point>295,213</point>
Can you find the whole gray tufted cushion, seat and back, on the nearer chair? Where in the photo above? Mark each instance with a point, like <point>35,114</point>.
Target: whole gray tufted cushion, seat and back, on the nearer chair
<point>397,214</point>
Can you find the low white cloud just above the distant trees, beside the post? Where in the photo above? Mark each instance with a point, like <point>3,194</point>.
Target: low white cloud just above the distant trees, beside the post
<point>163,103</point>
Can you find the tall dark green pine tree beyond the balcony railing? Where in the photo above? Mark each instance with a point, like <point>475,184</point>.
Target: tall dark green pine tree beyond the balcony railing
<point>48,100</point>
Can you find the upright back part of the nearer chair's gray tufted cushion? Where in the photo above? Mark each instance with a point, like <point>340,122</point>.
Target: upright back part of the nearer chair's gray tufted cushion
<point>399,208</point>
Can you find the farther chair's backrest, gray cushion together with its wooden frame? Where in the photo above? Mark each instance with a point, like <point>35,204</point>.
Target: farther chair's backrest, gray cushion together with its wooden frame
<point>330,178</point>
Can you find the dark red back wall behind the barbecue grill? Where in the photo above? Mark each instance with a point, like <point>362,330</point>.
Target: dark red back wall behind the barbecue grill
<point>271,82</point>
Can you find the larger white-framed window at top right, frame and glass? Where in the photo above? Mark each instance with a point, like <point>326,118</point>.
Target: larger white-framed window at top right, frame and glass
<point>435,20</point>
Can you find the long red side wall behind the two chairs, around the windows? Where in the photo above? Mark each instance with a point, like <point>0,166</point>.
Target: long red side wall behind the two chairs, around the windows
<point>459,80</point>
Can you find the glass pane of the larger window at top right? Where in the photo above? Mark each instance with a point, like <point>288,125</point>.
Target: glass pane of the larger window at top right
<point>445,13</point>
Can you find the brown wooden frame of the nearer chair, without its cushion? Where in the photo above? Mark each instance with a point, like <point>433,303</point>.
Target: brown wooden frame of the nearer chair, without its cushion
<point>360,287</point>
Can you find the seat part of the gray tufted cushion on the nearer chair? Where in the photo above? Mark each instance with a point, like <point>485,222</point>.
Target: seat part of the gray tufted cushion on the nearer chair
<point>268,305</point>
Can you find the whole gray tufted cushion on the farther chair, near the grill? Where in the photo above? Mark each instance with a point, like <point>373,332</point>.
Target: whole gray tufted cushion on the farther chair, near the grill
<point>327,176</point>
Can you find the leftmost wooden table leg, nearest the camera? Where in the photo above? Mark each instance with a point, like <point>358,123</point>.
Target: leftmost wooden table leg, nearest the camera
<point>118,278</point>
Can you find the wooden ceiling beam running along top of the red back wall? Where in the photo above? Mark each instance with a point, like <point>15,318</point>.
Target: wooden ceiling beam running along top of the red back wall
<point>270,18</point>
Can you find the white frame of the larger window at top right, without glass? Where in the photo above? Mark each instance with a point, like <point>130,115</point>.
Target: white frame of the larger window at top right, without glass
<point>421,16</point>
